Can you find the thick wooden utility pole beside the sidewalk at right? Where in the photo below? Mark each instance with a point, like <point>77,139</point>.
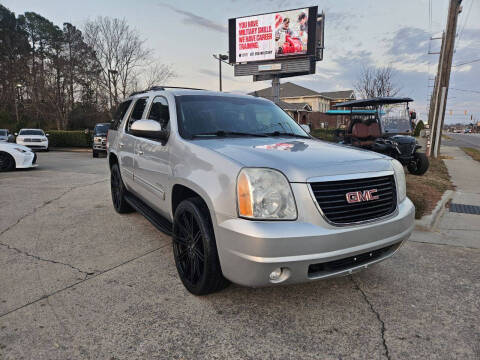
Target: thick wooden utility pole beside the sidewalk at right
<point>440,93</point>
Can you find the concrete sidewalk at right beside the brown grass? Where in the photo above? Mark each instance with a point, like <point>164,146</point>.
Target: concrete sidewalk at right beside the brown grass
<point>458,228</point>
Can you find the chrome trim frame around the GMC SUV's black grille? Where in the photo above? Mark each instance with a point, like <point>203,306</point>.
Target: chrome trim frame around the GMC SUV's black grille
<point>352,177</point>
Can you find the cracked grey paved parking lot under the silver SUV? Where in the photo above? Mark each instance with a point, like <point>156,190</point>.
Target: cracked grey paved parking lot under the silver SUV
<point>79,281</point>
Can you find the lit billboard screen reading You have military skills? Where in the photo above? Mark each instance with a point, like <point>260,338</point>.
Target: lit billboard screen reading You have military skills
<point>272,36</point>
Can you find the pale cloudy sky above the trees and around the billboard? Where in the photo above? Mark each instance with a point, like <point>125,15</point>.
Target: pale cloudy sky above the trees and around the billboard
<point>187,33</point>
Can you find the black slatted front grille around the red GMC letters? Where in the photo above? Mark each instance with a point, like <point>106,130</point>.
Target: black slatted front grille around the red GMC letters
<point>331,196</point>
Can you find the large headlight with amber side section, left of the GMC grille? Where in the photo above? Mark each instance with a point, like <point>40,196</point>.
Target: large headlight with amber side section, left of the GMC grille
<point>264,194</point>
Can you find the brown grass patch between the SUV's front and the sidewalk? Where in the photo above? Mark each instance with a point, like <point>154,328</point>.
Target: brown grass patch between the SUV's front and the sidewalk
<point>426,190</point>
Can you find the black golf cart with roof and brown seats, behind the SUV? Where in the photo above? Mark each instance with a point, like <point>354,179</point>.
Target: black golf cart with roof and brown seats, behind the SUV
<point>384,125</point>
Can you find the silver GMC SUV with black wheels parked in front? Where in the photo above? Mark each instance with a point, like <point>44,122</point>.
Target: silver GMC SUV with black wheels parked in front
<point>248,195</point>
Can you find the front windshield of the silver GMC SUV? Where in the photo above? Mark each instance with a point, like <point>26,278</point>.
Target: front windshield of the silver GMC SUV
<point>207,116</point>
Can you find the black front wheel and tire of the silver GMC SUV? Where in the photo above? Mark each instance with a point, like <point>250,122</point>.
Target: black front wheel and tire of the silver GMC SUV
<point>195,249</point>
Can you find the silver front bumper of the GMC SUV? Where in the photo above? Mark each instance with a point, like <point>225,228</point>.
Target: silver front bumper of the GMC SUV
<point>309,248</point>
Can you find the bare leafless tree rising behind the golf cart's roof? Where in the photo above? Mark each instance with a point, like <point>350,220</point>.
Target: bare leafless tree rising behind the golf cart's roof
<point>376,82</point>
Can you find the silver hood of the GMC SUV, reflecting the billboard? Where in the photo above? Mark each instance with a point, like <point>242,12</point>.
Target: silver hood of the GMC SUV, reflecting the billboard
<point>299,159</point>
